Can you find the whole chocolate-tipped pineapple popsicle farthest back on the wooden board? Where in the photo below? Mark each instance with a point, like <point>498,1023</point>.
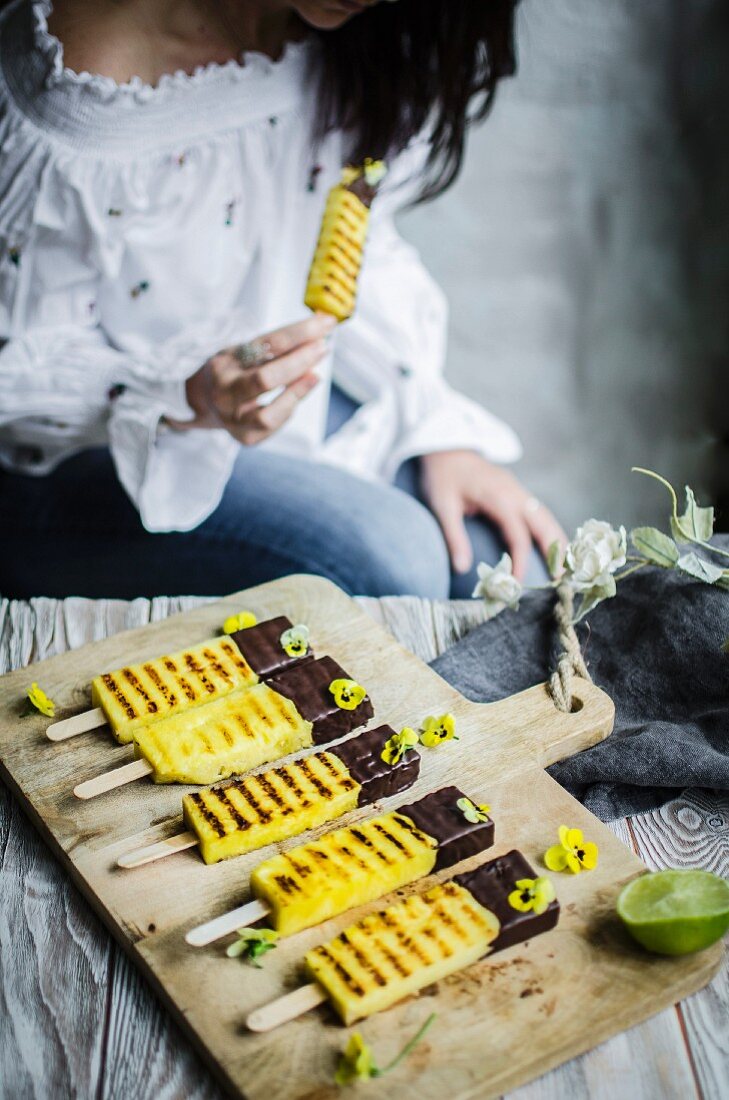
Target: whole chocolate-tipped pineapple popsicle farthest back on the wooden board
<point>140,695</point>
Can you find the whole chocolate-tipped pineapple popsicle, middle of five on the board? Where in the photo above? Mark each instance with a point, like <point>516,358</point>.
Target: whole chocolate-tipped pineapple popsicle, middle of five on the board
<point>283,802</point>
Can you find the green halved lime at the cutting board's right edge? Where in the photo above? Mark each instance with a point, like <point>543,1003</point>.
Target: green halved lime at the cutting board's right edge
<point>676,912</point>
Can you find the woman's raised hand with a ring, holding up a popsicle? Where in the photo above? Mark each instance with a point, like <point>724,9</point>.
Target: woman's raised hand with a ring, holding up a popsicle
<point>225,393</point>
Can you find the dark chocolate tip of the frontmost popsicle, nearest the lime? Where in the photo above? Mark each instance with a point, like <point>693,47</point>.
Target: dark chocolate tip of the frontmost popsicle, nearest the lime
<point>493,883</point>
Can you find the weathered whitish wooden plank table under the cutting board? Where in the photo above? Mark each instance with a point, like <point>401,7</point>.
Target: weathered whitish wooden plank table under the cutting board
<point>78,1021</point>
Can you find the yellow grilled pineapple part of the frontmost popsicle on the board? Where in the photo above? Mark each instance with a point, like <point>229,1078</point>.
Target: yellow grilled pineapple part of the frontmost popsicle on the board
<point>391,955</point>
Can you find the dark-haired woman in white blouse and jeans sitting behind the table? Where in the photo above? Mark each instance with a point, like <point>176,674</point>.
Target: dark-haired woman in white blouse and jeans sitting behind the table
<point>168,416</point>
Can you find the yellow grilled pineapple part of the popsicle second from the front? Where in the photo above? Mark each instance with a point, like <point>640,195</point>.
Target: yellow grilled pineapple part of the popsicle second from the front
<point>346,868</point>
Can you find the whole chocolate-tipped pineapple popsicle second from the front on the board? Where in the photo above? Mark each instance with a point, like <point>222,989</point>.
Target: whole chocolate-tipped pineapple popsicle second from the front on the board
<point>352,866</point>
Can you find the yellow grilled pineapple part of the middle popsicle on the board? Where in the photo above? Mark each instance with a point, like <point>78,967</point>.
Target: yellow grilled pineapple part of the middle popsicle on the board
<point>260,810</point>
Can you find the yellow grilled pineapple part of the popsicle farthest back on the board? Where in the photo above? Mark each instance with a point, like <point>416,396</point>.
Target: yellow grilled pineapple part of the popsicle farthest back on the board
<point>140,695</point>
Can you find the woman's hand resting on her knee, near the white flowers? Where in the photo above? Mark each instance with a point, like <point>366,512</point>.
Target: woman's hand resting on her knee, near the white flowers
<point>461,483</point>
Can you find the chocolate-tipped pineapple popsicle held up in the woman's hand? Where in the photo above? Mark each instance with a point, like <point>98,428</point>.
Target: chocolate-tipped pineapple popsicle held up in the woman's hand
<point>333,284</point>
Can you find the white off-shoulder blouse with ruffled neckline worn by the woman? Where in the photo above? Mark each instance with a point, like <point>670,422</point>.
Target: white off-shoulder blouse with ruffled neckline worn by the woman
<point>145,229</point>
